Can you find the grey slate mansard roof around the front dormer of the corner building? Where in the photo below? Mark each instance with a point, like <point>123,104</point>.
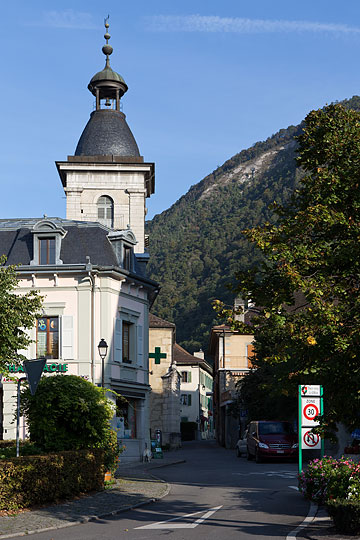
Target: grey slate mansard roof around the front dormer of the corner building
<point>82,239</point>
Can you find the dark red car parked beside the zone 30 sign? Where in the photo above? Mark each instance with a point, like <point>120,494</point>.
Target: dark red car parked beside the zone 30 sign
<point>271,439</point>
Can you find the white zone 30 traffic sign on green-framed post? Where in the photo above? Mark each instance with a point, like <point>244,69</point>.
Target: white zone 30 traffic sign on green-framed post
<point>311,407</point>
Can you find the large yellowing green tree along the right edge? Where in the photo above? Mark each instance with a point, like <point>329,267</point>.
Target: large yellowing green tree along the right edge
<point>308,330</point>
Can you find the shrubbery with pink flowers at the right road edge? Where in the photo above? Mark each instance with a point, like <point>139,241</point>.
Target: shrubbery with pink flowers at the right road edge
<point>336,483</point>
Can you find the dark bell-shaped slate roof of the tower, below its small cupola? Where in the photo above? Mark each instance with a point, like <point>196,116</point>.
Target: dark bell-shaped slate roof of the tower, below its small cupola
<point>106,134</point>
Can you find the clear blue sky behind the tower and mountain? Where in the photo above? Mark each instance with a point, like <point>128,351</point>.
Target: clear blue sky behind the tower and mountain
<point>206,79</point>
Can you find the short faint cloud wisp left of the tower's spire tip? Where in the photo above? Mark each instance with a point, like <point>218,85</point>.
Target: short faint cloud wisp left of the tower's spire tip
<point>68,19</point>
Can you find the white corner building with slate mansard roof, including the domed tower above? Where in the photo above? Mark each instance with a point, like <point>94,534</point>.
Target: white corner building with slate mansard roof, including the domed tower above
<point>91,268</point>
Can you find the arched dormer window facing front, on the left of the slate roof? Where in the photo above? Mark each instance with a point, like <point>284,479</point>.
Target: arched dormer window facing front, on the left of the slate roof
<point>47,237</point>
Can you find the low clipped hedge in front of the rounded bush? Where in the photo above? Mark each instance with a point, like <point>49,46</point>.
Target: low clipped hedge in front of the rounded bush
<point>31,480</point>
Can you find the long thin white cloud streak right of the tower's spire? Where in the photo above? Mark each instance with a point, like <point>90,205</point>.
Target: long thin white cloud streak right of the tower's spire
<point>203,23</point>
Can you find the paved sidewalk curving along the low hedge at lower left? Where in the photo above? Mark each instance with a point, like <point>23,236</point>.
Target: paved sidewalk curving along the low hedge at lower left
<point>135,486</point>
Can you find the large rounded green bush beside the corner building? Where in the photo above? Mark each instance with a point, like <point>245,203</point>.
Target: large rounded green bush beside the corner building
<point>69,413</point>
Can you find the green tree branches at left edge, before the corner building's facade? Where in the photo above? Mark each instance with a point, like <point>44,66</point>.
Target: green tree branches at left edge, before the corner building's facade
<point>18,314</point>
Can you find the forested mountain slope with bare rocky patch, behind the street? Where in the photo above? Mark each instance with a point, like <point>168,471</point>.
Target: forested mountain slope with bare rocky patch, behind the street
<point>196,246</point>
